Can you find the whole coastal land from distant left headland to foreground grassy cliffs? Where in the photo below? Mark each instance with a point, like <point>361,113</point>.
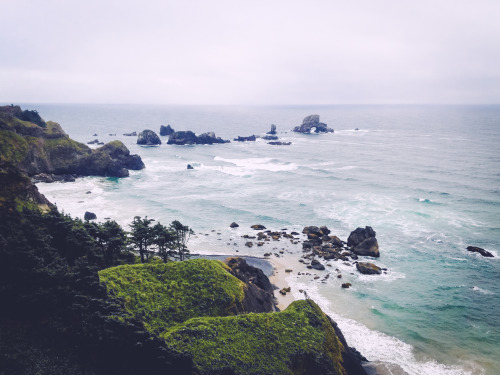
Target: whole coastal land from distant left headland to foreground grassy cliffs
<point>66,312</point>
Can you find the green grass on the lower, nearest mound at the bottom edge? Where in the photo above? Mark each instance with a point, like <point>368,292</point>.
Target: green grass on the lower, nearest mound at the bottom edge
<point>296,340</point>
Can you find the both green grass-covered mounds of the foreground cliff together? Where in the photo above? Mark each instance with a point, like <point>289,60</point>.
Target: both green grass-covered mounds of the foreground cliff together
<point>188,303</point>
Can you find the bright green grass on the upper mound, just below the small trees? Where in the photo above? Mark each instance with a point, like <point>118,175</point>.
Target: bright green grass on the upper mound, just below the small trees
<point>163,295</point>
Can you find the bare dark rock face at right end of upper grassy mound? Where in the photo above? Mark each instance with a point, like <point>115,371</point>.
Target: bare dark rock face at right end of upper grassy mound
<point>259,295</point>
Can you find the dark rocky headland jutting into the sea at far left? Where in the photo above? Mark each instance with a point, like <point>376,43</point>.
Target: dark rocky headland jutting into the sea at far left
<point>30,146</point>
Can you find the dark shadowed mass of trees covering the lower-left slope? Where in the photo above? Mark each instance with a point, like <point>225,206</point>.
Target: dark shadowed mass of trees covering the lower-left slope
<point>55,316</point>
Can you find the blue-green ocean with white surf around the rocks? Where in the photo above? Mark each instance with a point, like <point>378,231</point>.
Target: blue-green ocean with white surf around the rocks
<point>425,178</point>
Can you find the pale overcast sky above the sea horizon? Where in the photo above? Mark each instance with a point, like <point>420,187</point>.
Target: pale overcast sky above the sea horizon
<point>273,52</point>
